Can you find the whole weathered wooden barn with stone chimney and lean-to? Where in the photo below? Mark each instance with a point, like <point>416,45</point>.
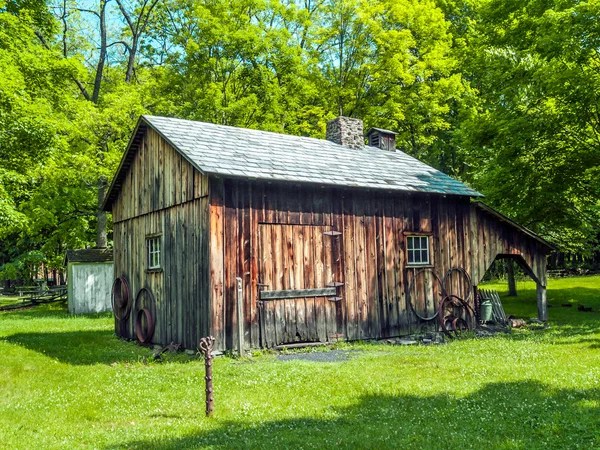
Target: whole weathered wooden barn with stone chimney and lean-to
<point>272,239</point>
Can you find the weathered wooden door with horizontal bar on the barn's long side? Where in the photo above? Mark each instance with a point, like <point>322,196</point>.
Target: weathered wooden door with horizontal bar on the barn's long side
<point>297,298</point>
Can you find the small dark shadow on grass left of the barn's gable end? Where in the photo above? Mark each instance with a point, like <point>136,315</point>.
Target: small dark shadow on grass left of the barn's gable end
<point>80,347</point>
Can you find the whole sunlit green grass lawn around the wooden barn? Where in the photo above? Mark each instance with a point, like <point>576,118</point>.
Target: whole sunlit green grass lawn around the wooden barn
<point>67,382</point>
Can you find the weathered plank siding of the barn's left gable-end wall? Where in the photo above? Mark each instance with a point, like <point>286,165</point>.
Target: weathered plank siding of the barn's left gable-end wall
<point>163,194</point>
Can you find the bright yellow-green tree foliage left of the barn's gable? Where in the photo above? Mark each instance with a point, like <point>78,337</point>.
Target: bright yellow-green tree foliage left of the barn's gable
<point>54,144</point>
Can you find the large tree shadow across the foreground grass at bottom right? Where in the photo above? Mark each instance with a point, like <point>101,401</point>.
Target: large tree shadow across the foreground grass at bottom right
<point>500,415</point>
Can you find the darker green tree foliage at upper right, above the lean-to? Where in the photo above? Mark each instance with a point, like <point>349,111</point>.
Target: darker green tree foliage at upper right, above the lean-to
<point>533,137</point>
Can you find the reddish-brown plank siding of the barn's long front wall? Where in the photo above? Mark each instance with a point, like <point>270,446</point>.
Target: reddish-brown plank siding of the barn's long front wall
<point>368,257</point>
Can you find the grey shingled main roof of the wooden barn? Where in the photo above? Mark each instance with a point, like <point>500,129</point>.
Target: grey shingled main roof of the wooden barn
<point>240,152</point>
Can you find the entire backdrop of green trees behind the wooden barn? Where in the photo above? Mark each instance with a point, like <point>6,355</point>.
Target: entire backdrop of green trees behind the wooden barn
<point>503,95</point>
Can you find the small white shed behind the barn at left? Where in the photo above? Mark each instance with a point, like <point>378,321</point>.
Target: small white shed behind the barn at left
<point>90,275</point>
